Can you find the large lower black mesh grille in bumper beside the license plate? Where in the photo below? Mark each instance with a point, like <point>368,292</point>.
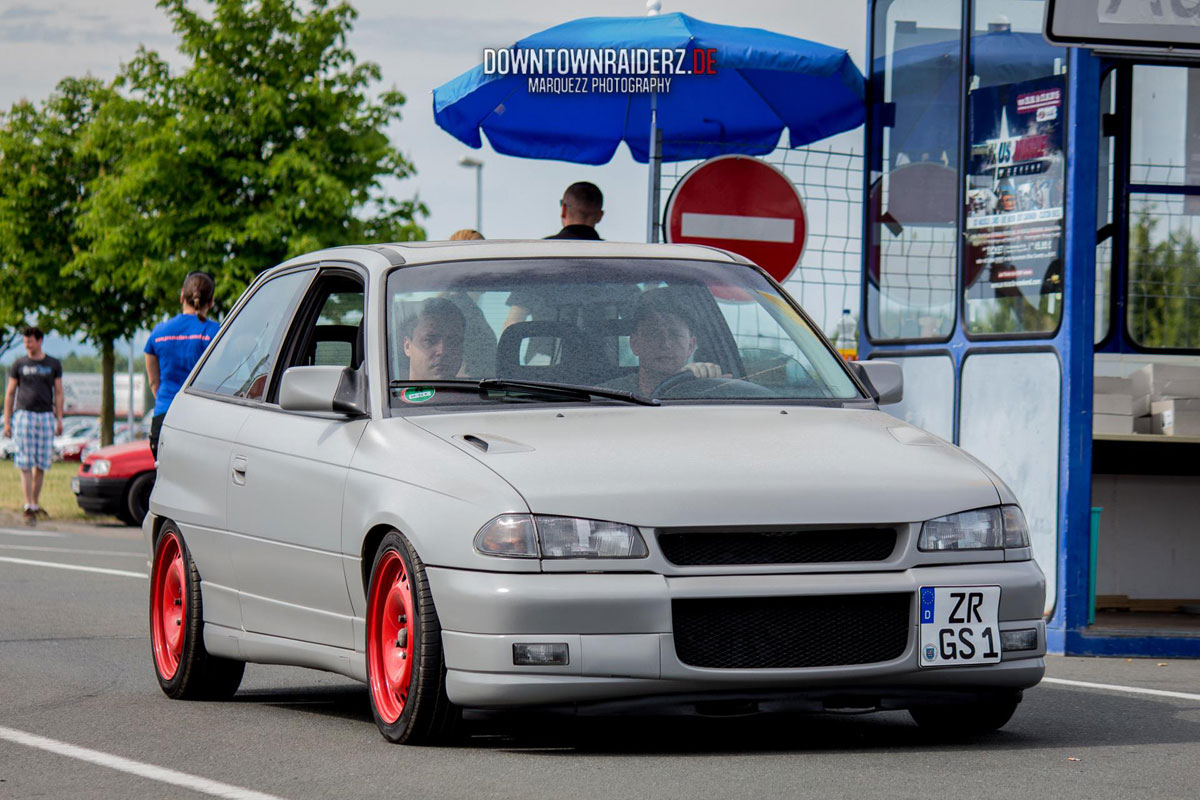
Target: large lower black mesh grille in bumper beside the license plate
<point>791,633</point>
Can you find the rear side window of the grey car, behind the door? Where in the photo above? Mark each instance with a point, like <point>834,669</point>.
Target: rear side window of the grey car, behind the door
<point>241,363</point>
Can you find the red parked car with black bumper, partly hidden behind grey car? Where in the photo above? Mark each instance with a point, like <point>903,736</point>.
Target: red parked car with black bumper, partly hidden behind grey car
<point>117,480</point>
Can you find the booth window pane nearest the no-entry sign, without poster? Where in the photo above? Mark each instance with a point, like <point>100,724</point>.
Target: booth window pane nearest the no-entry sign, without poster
<point>913,248</point>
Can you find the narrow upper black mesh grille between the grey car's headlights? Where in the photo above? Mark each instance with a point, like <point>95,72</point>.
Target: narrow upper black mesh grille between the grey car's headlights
<point>711,549</point>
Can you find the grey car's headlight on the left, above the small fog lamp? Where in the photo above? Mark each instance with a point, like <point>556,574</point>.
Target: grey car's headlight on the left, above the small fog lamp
<point>519,536</point>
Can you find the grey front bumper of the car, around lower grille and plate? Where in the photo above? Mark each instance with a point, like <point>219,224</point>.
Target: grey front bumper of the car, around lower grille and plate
<point>621,645</point>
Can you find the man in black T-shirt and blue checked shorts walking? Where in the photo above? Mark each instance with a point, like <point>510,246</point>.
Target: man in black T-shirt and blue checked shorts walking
<point>33,410</point>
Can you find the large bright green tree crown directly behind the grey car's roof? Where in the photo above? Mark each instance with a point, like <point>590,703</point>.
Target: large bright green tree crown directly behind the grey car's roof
<point>268,145</point>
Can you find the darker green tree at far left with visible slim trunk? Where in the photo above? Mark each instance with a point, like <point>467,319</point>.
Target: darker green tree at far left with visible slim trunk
<point>47,169</point>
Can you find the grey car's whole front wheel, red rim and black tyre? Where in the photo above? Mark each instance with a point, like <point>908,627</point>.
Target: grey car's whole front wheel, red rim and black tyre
<point>410,701</point>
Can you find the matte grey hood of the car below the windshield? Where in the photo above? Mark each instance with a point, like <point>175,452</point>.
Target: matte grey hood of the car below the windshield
<point>711,466</point>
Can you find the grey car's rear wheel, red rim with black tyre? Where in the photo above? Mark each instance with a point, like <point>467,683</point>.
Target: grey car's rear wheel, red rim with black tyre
<point>184,669</point>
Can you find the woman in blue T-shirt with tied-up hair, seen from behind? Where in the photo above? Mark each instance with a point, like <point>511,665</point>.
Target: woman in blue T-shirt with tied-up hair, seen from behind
<point>176,346</point>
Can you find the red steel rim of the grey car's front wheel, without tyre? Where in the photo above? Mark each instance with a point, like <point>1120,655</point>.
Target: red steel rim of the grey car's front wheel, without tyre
<point>391,636</point>
